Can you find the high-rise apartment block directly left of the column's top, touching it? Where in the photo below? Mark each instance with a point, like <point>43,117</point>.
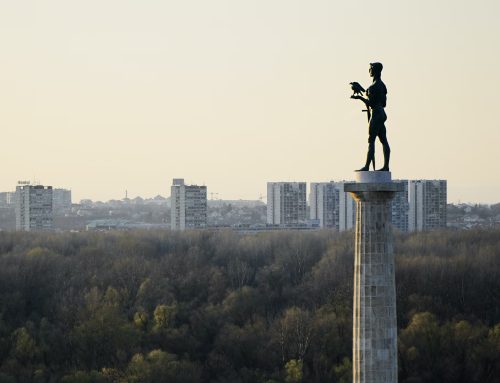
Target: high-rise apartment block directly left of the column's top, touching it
<point>333,207</point>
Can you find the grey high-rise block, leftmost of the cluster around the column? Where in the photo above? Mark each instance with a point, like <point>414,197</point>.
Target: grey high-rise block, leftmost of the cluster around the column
<point>286,203</point>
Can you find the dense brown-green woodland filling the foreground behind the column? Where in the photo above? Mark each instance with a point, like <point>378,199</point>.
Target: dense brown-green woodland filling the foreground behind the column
<point>205,306</point>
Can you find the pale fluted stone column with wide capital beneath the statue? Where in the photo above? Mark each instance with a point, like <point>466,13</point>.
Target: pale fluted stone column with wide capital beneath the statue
<point>374,313</point>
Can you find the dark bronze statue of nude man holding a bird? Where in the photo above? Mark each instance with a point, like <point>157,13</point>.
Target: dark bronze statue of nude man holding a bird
<point>375,101</point>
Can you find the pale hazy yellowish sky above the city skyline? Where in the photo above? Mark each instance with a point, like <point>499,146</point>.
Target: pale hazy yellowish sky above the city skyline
<point>101,96</point>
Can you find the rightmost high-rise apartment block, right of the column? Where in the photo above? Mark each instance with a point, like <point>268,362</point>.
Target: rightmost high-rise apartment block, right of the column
<point>427,200</point>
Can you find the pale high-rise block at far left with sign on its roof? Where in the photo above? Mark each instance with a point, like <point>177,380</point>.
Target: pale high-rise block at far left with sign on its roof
<point>33,207</point>
